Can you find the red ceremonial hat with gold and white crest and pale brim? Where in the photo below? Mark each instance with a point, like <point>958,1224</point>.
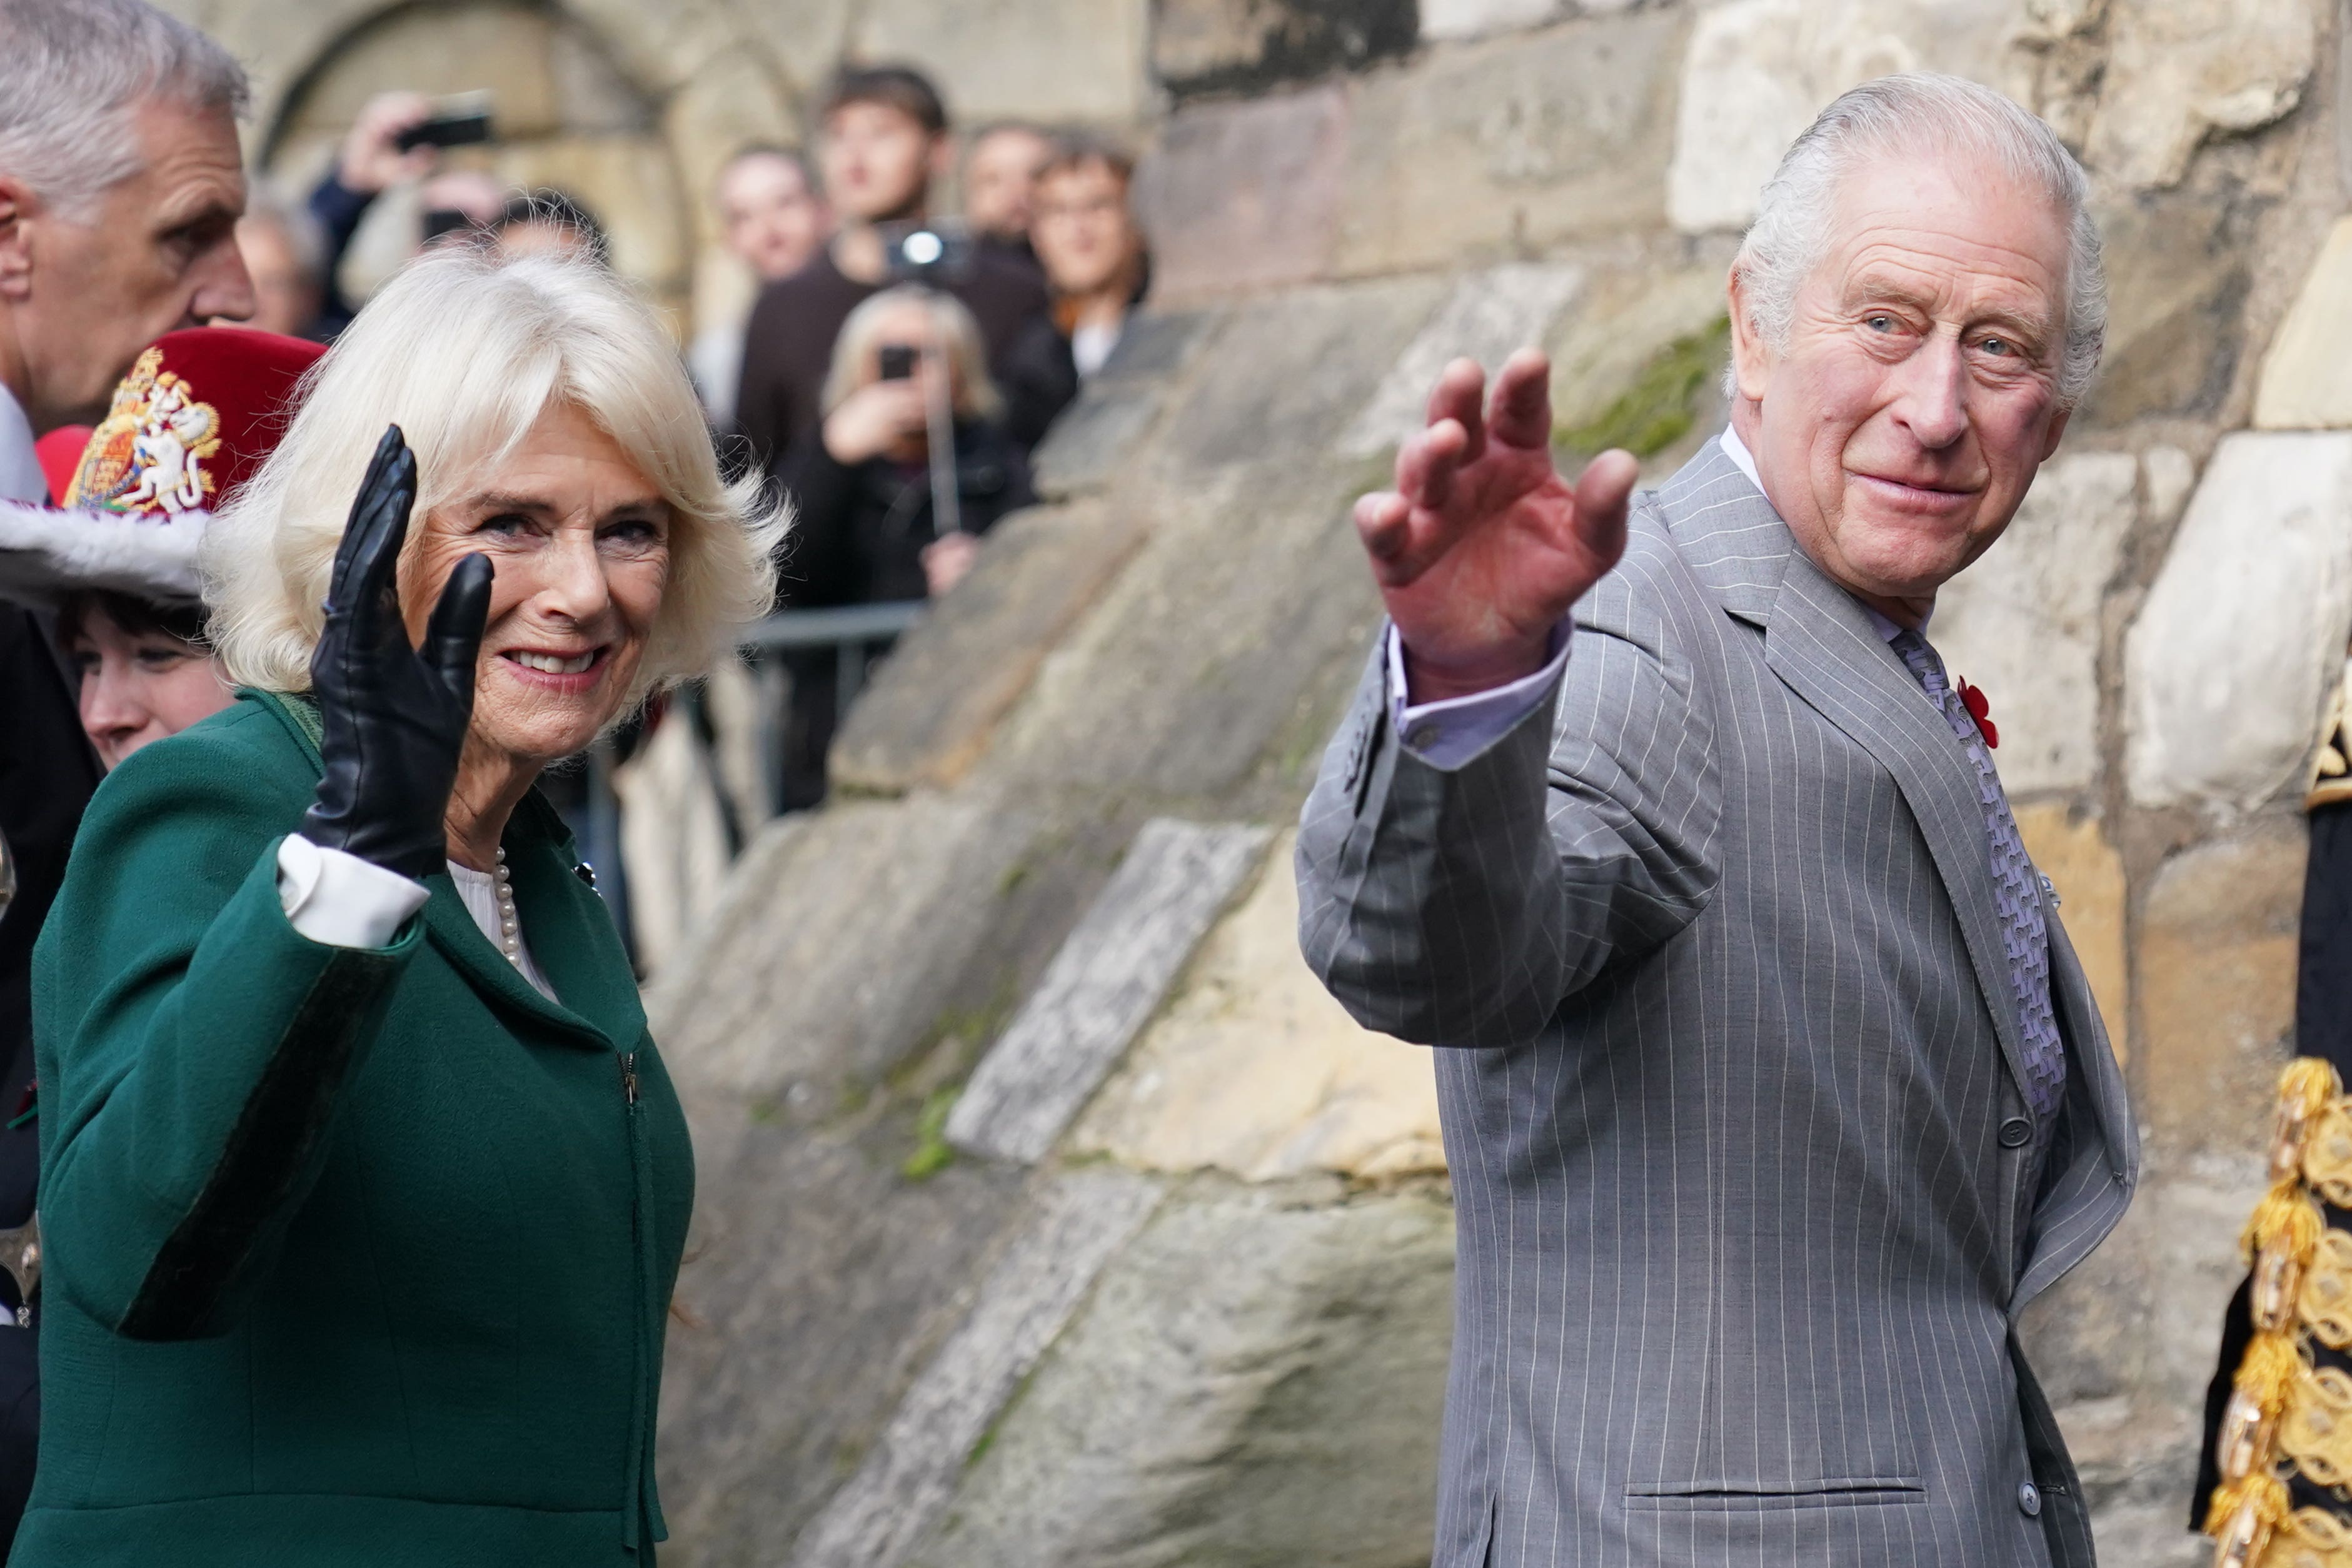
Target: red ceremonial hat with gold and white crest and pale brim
<point>194,420</point>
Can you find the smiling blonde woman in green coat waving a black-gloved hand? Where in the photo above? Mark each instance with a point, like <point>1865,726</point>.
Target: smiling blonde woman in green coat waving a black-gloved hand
<point>363,1186</point>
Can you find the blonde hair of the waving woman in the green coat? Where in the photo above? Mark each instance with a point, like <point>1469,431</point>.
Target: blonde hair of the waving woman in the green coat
<point>465,354</point>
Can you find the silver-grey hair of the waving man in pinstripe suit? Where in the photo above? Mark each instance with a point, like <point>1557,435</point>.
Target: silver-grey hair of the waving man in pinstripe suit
<point>1920,114</point>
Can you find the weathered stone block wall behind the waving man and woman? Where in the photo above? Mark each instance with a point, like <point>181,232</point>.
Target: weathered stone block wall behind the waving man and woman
<point>1050,1212</point>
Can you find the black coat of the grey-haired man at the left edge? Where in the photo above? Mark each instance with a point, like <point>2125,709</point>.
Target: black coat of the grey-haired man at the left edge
<point>46,779</point>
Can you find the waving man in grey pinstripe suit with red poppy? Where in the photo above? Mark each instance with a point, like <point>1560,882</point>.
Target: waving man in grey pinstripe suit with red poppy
<point>1772,1087</point>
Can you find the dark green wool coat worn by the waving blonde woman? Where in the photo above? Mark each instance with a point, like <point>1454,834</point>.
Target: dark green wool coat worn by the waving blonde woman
<point>354,1257</point>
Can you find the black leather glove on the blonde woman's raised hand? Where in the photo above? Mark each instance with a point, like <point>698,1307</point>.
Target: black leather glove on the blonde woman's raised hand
<point>392,718</point>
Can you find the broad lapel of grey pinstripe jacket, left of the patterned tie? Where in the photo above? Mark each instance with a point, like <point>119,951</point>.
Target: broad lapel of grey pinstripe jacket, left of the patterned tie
<point>1824,648</point>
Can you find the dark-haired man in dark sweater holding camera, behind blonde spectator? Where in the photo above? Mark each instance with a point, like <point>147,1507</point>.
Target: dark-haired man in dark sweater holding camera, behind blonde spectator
<point>886,142</point>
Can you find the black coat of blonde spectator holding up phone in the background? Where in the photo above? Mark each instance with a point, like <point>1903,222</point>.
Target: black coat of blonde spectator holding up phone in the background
<point>857,540</point>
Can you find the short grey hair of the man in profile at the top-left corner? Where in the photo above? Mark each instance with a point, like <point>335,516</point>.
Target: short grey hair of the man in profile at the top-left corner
<point>72,81</point>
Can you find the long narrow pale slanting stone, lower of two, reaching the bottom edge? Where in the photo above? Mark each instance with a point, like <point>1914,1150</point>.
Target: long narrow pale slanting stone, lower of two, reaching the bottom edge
<point>1034,1289</point>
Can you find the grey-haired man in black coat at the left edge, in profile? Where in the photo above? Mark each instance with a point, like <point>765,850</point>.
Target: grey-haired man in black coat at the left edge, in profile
<point>121,189</point>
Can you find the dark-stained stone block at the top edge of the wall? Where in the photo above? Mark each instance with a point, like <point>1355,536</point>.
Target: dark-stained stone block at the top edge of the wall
<point>1252,46</point>
